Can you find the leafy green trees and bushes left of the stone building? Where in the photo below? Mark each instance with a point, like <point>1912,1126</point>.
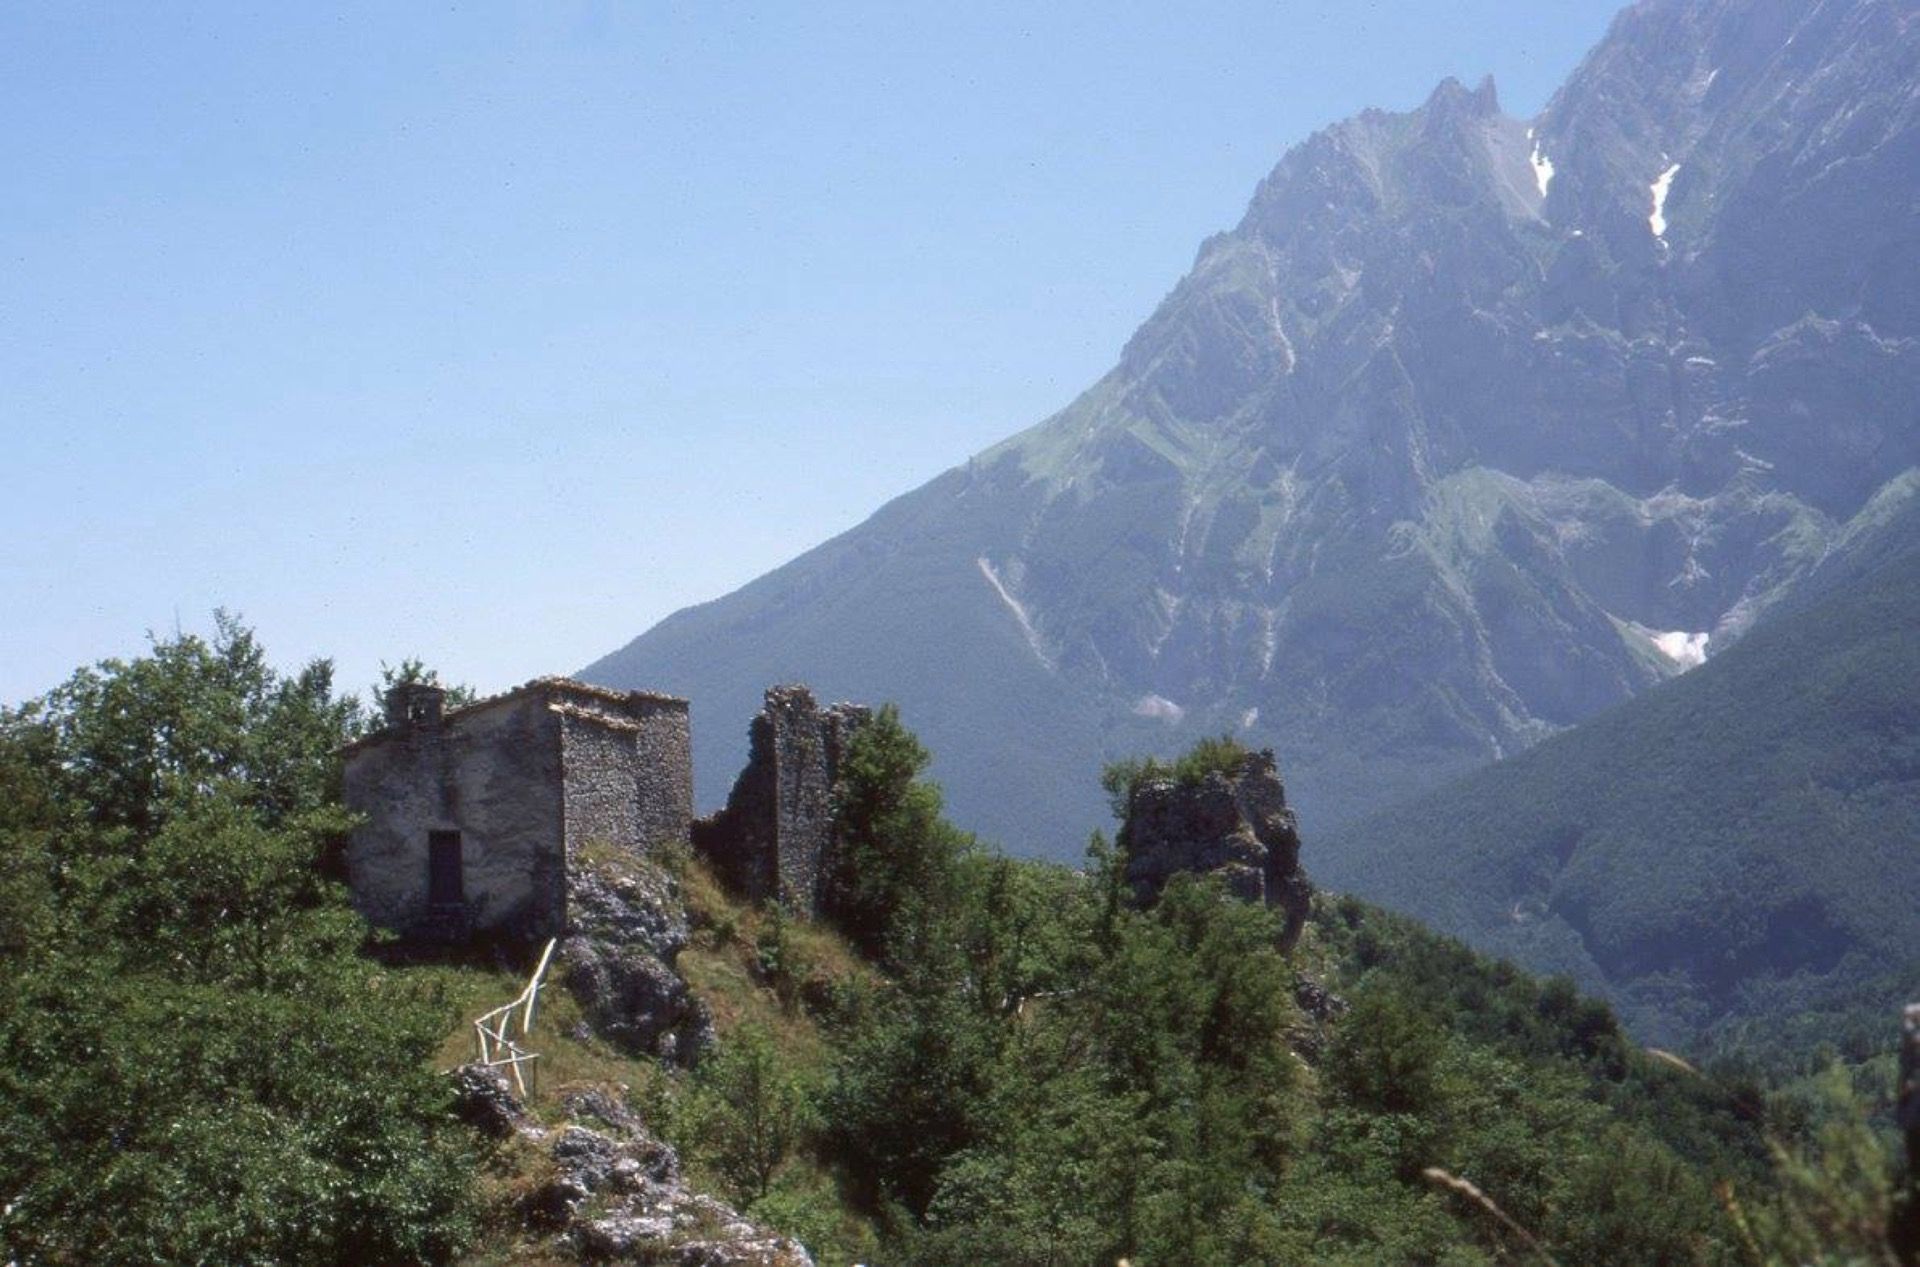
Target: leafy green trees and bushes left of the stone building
<point>197,1064</point>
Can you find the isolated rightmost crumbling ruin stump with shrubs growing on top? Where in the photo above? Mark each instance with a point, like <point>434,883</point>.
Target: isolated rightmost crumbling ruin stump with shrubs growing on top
<point>1236,826</point>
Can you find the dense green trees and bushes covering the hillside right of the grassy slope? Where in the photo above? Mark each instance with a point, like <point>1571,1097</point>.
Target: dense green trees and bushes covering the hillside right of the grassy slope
<point>1053,1076</point>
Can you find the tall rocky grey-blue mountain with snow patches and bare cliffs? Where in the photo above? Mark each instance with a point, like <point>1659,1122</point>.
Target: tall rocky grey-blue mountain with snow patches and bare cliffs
<point>1468,431</point>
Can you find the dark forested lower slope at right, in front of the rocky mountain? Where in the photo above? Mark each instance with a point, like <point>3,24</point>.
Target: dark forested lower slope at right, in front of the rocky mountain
<point>1733,848</point>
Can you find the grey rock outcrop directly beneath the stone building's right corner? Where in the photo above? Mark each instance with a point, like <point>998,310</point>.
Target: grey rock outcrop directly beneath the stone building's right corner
<point>627,926</point>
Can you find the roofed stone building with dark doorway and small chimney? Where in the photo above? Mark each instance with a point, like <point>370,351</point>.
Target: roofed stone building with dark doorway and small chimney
<point>473,817</point>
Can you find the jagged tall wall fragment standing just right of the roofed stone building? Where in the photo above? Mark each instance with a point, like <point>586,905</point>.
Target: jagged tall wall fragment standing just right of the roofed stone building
<point>775,838</point>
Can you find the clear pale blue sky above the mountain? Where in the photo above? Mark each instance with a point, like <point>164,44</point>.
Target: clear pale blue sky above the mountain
<point>496,333</point>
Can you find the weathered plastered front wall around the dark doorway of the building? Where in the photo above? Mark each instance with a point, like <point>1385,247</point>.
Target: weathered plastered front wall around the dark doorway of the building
<point>496,778</point>
